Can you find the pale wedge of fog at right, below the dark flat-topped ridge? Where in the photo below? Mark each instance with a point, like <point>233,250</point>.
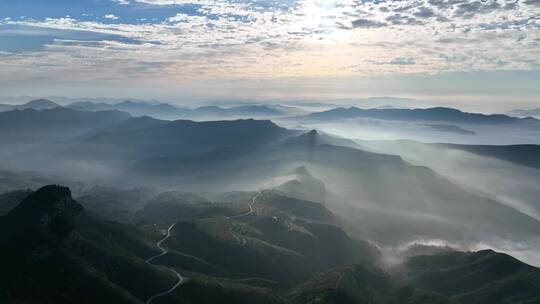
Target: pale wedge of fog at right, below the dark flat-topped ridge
<point>512,184</point>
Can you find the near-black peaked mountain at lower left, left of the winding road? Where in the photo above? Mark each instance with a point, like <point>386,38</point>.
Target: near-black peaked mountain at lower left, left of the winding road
<point>52,252</point>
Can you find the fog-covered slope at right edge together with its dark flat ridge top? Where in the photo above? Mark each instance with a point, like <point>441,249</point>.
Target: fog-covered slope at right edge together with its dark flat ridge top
<point>509,174</point>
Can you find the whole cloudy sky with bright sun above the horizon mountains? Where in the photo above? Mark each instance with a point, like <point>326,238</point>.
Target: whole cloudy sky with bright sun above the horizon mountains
<point>475,53</point>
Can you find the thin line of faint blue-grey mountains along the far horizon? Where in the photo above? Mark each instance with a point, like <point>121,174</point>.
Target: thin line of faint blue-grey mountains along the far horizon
<point>172,112</point>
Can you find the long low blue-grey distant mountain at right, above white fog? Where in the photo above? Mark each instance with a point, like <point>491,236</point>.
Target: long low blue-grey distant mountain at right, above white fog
<point>429,115</point>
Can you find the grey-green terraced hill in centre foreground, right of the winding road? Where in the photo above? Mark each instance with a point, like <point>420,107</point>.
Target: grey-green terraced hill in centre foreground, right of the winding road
<point>266,235</point>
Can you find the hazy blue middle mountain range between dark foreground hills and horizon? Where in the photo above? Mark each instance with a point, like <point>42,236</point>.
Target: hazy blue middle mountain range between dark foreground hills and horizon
<point>219,155</point>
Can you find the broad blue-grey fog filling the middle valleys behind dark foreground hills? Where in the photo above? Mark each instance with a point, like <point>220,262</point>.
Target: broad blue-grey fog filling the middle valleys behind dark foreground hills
<point>405,193</point>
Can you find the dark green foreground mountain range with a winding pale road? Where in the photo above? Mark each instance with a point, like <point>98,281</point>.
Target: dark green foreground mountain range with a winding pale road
<point>284,250</point>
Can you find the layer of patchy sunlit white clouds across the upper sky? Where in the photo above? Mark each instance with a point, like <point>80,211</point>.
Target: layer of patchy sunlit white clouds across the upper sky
<point>178,40</point>
